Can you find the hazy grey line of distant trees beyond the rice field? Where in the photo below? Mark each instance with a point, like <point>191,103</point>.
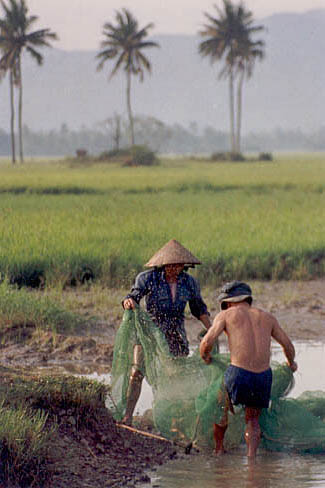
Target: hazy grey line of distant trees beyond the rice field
<point>161,137</point>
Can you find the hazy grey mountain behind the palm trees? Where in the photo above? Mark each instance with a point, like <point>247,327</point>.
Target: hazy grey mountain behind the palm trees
<point>286,91</point>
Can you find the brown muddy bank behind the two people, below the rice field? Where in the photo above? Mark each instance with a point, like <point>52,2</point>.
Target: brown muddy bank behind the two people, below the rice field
<point>299,307</point>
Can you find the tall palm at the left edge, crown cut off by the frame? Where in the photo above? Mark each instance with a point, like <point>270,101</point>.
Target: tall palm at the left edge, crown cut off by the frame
<point>15,37</point>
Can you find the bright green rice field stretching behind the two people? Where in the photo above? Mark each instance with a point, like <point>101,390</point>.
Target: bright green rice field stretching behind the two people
<point>60,224</point>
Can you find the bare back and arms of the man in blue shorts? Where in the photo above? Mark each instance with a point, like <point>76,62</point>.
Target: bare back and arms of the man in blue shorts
<point>249,332</point>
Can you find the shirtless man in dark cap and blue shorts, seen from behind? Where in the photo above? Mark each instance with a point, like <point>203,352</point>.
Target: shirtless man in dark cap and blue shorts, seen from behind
<point>248,379</point>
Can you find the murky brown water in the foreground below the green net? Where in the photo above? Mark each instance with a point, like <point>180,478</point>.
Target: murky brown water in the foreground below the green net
<point>270,470</point>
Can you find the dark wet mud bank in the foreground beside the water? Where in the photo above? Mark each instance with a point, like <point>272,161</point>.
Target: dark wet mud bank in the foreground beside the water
<point>104,455</point>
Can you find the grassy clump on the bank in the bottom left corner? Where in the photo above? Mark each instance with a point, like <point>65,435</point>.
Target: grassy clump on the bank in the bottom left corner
<point>31,410</point>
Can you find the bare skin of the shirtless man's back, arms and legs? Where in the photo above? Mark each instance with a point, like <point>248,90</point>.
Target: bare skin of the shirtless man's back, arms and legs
<point>249,331</point>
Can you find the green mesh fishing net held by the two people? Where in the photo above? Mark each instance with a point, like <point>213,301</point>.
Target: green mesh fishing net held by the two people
<point>189,395</point>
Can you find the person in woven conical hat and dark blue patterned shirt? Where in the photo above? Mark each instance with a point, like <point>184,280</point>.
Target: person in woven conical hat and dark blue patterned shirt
<point>167,288</point>
